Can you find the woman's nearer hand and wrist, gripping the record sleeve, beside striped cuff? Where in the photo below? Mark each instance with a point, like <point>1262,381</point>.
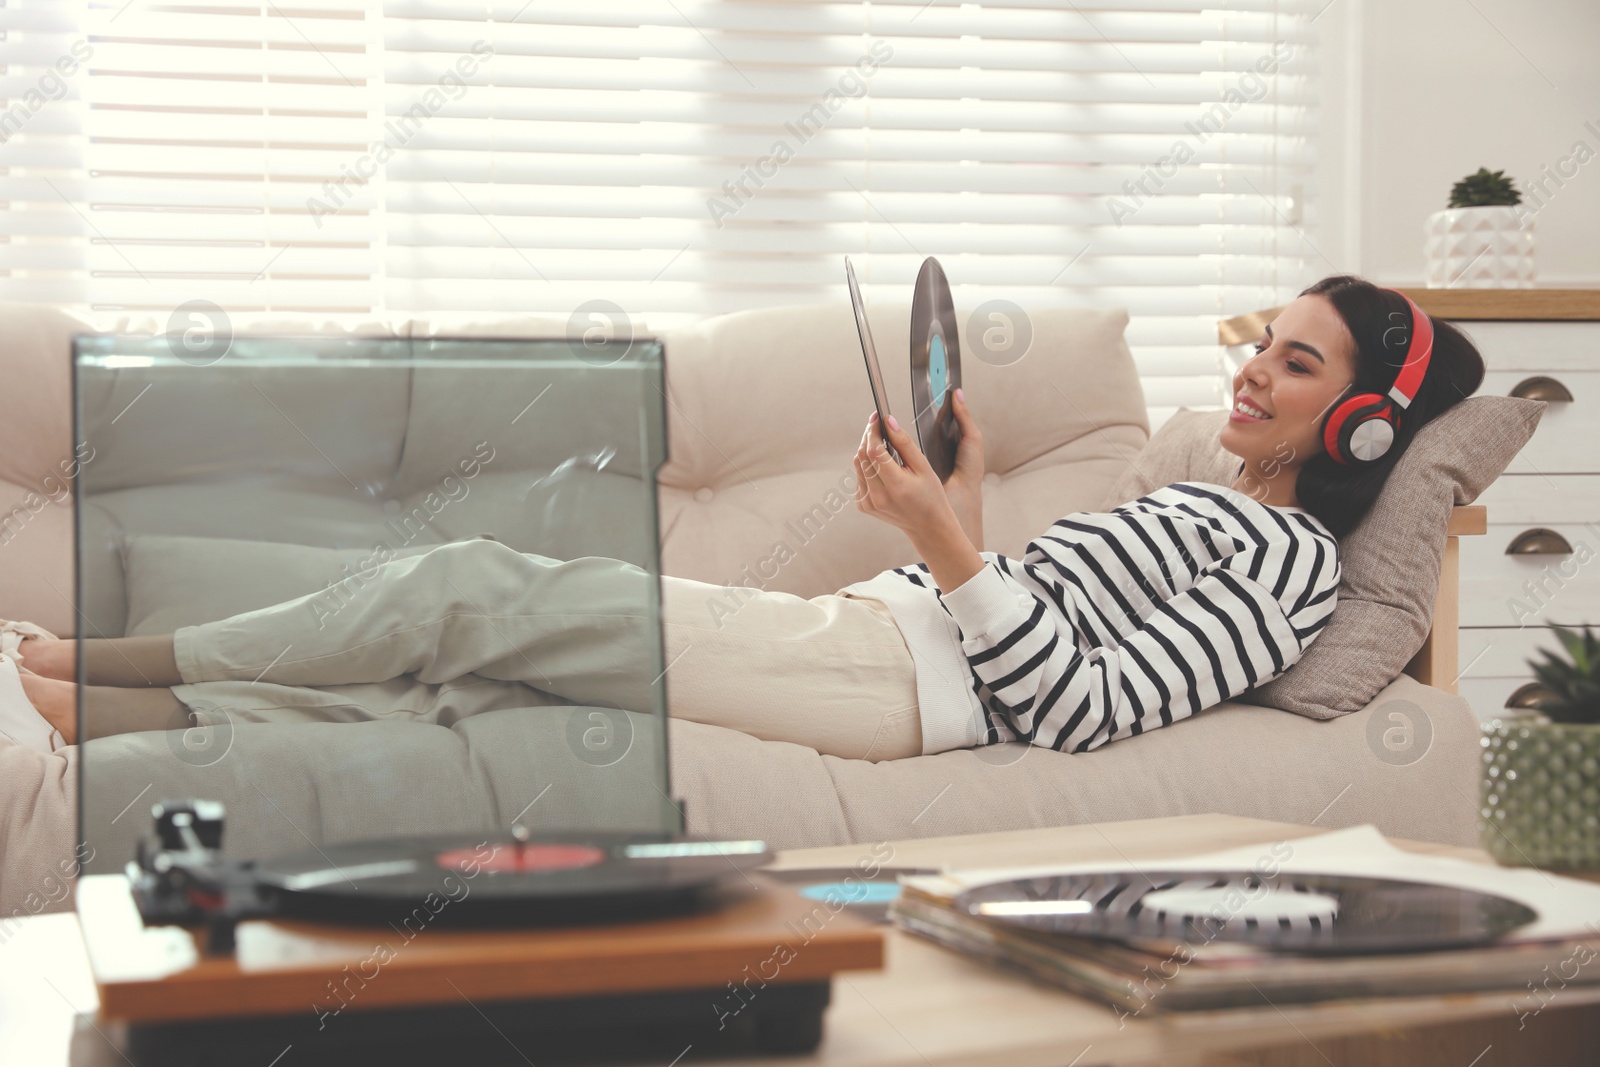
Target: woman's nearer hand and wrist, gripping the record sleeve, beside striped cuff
<point>913,500</point>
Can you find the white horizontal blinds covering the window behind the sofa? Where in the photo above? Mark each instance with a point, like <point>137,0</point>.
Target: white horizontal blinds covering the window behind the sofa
<point>674,158</point>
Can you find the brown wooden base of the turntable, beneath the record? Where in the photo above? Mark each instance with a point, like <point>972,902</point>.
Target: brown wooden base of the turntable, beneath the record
<point>764,954</point>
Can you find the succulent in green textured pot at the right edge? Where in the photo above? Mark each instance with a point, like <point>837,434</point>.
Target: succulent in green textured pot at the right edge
<point>1542,767</point>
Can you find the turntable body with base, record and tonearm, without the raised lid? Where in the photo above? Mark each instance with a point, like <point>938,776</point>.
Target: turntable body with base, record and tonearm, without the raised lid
<point>561,948</point>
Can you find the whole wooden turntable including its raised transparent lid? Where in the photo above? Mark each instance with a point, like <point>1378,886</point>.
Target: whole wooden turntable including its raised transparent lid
<point>407,871</point>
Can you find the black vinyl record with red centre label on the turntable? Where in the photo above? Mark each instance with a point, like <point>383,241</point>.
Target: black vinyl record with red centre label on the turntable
<point>554,879</point>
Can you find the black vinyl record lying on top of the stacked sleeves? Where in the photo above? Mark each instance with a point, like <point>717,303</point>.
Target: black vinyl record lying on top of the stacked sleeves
<point>1289,913</point>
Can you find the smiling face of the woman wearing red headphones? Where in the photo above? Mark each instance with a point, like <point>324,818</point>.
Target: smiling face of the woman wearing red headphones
<point>1302,369</point>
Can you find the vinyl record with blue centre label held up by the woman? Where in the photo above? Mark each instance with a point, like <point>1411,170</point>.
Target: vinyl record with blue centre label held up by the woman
<point>935,367</point>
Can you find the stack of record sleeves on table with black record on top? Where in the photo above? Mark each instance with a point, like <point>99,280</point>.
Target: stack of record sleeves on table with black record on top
<point>1182,940</point>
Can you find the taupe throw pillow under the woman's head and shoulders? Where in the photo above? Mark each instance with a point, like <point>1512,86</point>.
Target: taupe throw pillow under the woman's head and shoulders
<point>1390,562</point>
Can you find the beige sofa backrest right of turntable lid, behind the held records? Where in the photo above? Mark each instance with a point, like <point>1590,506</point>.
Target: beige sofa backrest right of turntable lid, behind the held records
<point>769,407</point>
